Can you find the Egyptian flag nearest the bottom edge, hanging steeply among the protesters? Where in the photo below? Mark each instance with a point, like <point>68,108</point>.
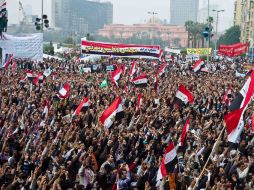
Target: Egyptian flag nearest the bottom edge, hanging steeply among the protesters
<point>168,162</point>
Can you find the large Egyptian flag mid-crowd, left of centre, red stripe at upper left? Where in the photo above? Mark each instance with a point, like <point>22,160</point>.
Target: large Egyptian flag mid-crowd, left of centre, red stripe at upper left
<point>114,111</point>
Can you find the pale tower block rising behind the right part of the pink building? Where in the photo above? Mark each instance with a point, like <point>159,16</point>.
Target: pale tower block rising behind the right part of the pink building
<point>183,10</point>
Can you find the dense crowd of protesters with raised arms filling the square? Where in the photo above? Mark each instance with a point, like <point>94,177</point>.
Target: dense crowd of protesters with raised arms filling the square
<point>59,152</point>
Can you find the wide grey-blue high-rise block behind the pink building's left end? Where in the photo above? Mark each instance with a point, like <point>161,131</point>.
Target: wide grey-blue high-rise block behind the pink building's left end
<point>81,16</point>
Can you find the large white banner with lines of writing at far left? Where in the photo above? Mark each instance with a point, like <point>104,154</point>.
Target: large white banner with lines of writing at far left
<point>29,47</point>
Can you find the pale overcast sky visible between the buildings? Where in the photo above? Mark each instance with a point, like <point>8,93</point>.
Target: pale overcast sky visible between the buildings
<point>128,11</point>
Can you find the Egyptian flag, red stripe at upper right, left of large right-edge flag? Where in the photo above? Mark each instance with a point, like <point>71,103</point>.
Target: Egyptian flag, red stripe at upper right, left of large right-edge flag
<point>183,95</point>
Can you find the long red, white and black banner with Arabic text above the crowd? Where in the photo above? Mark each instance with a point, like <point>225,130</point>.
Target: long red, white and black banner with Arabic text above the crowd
<point>120,50</point>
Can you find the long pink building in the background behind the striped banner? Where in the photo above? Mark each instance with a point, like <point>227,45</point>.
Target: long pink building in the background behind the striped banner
<point>174,35</point>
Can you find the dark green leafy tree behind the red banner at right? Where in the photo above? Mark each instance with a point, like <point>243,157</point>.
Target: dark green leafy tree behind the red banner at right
<point>231,36</point>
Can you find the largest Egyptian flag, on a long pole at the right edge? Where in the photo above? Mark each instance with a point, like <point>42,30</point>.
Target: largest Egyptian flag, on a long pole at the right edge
<point>234,119</point>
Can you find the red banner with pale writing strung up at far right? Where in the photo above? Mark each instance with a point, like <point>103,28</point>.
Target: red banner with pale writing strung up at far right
<point>233,50</point>
